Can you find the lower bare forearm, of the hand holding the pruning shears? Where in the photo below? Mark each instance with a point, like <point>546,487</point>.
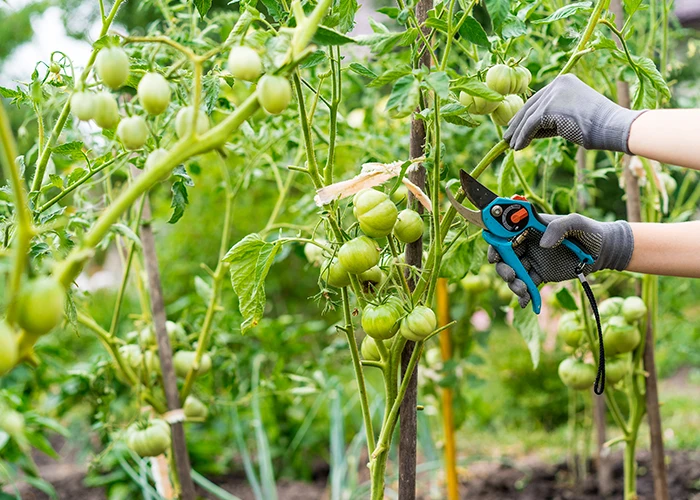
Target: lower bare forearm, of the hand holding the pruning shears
<point>666,249</point>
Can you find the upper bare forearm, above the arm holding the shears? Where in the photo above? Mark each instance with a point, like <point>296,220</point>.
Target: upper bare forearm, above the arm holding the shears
<point>667,135</point>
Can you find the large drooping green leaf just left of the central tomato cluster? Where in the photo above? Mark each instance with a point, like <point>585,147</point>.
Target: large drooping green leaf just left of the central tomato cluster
<point>250,261</point>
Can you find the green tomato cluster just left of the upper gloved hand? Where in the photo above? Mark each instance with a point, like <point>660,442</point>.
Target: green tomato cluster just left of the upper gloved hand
<point>510,81</point>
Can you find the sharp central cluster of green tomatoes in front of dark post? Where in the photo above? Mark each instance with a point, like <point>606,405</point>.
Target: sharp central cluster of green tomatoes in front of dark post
<point>386,313</point>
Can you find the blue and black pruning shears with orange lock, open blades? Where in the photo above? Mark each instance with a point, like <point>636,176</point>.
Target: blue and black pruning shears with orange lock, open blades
<point>506,222</point>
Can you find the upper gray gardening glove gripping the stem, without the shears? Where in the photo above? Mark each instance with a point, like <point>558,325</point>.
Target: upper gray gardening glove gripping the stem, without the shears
<point>569,108</point>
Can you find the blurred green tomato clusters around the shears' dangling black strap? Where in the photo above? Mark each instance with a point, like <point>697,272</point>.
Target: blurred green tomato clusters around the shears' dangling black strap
<point>620,319</point>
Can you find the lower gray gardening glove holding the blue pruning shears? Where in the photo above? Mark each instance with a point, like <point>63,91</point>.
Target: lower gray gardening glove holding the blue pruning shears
<point>546,260</point>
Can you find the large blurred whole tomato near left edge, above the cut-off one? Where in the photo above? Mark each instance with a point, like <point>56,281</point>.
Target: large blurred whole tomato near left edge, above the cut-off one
<point>40,305</point>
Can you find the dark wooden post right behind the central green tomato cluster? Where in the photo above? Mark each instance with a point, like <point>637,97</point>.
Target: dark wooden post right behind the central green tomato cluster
<point>414,257</point>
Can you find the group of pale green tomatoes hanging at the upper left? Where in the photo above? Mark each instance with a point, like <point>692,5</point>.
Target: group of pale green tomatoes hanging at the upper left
<point>154,95</point>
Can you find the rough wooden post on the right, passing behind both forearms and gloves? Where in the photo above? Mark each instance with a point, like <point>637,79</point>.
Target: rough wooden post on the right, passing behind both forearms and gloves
<point>658,465</point>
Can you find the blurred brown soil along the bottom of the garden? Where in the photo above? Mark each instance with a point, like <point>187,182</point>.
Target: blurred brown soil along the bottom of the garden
<point>522,480</point>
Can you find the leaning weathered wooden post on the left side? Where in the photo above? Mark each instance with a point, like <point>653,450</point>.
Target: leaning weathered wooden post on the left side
<point>182,459</point>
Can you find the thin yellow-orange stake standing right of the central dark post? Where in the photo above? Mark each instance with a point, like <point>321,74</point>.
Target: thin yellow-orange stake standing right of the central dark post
<point>443,303</point>
